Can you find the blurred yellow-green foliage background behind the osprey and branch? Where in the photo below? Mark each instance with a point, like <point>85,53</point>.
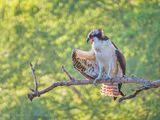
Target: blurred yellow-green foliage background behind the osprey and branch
<point>44,32</point>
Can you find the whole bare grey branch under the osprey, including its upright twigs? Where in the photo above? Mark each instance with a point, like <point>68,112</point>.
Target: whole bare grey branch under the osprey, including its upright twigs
<point>146,84</point>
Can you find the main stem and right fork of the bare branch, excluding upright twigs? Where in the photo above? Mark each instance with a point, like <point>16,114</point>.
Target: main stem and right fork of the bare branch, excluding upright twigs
<point>152,84</point>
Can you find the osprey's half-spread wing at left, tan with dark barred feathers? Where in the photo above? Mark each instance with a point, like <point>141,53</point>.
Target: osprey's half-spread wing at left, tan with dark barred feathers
<point>85,63</point>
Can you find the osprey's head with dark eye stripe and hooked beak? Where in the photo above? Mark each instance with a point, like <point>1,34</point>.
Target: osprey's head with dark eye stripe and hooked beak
<point>97,33</point>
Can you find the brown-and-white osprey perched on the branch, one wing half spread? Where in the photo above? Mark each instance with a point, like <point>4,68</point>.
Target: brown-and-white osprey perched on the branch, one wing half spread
<point>103,61</point>
